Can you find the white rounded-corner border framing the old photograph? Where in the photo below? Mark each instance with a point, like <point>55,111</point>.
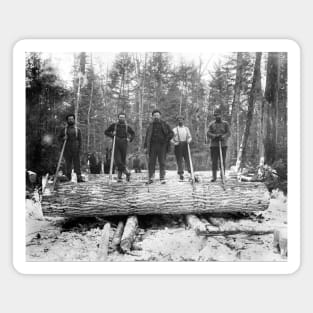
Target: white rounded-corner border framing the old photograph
<point>292,263</point>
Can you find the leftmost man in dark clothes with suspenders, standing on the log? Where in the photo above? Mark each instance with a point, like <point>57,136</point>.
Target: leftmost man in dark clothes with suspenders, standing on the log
<point>72,135</point>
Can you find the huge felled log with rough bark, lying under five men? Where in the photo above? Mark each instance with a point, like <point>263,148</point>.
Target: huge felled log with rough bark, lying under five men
<point>98,198</point>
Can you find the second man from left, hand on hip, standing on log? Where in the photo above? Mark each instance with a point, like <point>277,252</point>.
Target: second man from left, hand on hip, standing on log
<point>124,134</point>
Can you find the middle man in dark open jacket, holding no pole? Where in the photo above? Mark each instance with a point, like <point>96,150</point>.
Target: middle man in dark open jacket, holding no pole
<point>157,144</point>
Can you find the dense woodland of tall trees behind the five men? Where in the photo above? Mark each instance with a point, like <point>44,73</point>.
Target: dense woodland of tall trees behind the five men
<point>250,89</point>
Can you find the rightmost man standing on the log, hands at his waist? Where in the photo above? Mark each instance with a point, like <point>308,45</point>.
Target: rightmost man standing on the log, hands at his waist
<point>218,132</point>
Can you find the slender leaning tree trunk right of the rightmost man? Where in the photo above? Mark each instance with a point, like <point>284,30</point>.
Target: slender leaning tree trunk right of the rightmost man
<point>251,102</point>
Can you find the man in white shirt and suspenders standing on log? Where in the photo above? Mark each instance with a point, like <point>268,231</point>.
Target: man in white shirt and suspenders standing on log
<point>181,140</point>
